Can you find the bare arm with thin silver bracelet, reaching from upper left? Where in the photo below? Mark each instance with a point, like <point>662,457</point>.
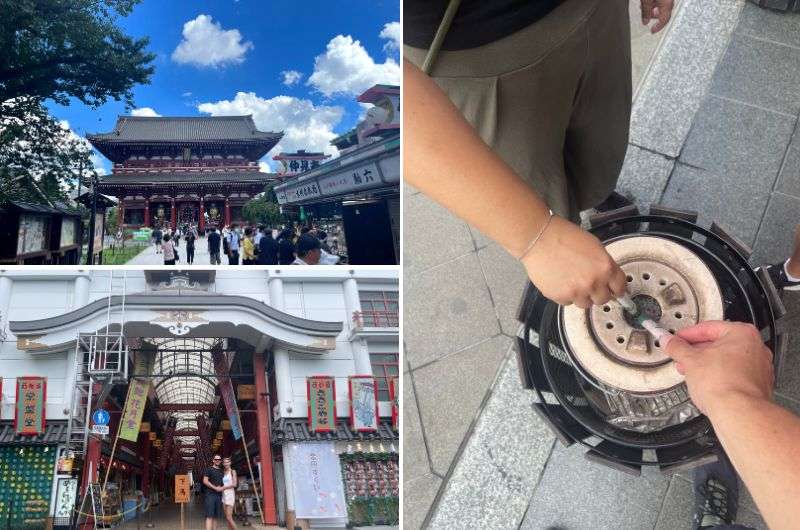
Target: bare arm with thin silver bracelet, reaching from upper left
<point>567,264</point>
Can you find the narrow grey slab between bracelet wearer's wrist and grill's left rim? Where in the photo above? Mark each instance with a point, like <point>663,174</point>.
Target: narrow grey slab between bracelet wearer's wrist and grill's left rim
<point>506,278</point>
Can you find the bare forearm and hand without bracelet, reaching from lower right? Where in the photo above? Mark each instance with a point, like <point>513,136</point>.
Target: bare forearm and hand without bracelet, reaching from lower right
<point>730,378</point>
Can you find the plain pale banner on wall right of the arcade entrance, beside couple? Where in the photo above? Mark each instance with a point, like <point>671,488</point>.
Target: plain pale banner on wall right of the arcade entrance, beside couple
<point>317,480</point>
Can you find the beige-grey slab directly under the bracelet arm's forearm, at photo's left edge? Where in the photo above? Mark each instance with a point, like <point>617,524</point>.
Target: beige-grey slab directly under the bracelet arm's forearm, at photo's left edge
<point>432,235</point>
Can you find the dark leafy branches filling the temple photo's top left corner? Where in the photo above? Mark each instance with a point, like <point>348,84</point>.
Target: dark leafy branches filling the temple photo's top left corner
<point>57,49</point>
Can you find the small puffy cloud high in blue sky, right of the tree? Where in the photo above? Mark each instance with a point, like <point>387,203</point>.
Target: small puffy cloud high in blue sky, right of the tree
<point>205,43</point>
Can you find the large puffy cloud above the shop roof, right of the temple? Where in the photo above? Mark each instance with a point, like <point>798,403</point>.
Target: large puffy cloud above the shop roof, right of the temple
<point>347,69</point>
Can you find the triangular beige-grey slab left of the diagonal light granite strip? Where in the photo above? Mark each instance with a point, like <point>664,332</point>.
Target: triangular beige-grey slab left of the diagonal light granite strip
<point>450,393</point>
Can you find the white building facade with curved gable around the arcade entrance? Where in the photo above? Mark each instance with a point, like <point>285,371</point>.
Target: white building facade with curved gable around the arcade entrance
<point>303,323</point>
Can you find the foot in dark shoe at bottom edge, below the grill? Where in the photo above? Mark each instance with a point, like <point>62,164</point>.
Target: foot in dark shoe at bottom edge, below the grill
<point>716,494</point>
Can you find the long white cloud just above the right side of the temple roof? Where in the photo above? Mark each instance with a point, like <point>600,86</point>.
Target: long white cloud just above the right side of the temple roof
<point>305,125</point>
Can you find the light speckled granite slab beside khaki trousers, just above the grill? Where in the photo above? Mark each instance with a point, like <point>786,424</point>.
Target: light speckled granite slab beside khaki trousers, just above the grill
<point>644,176</point>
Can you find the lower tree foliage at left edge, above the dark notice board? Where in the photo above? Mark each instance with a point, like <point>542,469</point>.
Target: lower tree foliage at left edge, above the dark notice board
<point>40,158</point>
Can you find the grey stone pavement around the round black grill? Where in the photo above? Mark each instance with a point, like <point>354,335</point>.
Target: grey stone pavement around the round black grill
<point>713,129</point>
